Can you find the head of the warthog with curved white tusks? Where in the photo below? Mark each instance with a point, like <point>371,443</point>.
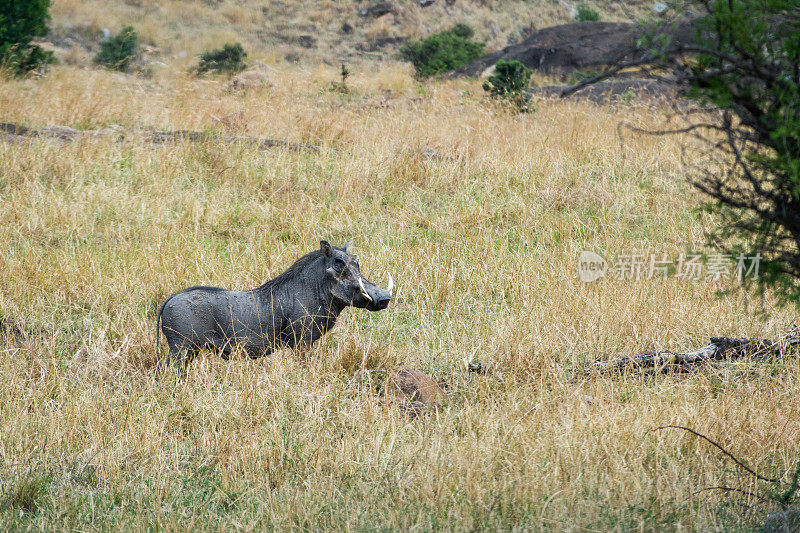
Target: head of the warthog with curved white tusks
<point>349,287</point>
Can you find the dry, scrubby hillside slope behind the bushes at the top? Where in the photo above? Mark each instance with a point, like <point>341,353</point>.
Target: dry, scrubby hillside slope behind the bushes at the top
<point>289,30</point>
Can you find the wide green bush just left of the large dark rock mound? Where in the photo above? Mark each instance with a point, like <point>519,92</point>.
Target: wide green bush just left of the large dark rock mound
<point>443,51</point>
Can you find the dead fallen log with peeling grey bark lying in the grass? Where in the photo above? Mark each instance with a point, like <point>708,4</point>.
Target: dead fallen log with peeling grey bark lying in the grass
<point>719,349</point>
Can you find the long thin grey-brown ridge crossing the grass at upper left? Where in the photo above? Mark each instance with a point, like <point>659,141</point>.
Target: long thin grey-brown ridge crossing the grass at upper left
<point>63,133</point>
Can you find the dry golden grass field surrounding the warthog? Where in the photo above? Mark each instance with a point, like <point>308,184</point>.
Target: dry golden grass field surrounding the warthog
<point>483,244</point>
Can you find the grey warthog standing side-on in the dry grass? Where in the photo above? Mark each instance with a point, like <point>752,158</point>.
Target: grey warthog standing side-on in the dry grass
<point>291,311</point>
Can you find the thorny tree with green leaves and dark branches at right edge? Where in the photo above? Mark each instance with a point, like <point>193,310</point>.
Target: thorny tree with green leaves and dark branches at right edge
<point>743,70</point>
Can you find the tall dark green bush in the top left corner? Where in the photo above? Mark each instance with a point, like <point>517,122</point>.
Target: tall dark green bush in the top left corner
<point>20,22</point>
